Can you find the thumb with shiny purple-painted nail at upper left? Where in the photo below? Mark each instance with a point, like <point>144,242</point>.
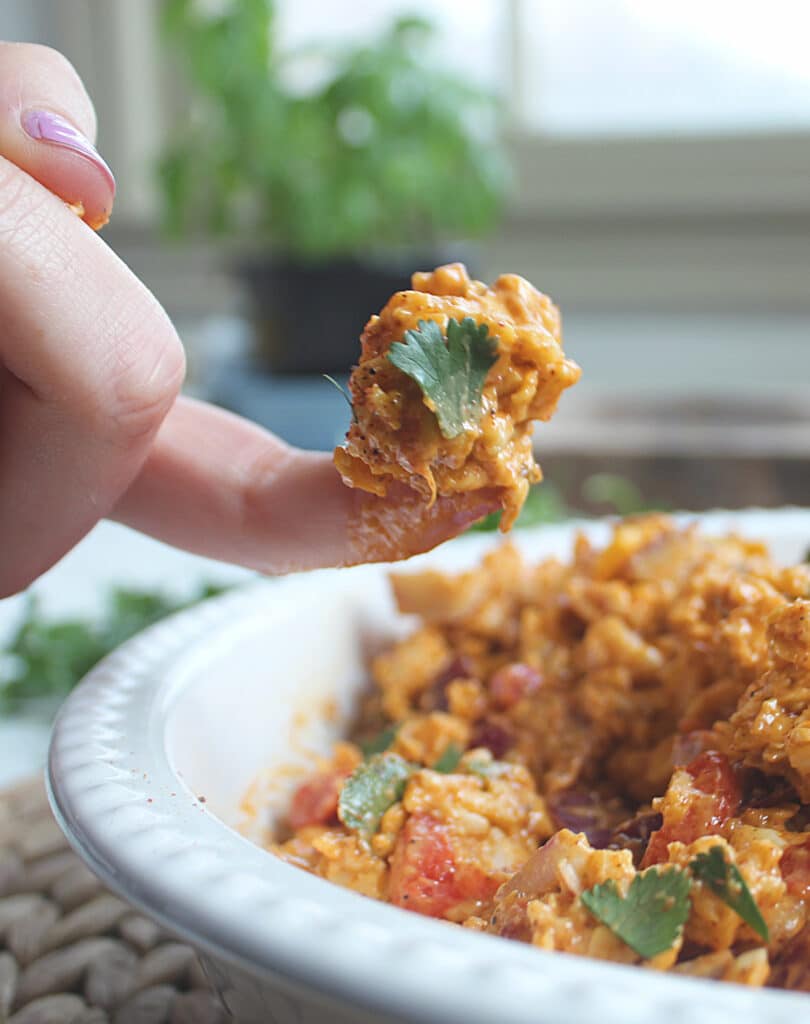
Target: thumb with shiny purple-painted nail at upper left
<point>48,129</point>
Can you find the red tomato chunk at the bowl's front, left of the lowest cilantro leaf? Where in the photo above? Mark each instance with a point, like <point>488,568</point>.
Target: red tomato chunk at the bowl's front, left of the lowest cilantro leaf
<point>427,876</point>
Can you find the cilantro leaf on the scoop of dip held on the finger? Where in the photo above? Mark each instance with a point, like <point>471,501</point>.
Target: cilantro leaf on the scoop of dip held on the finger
<point>451,375</point>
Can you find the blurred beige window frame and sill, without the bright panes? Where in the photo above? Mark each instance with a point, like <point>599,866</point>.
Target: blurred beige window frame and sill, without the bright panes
<point>708,222</point>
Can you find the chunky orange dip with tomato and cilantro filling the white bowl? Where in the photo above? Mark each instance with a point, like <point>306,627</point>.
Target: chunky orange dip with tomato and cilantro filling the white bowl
<point>609,758</point>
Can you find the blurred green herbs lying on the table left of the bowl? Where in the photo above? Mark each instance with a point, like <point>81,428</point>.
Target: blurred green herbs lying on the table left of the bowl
<point>47,659</point>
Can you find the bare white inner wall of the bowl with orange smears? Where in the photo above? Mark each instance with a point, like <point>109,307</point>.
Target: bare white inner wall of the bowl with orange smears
<point>250,711</point>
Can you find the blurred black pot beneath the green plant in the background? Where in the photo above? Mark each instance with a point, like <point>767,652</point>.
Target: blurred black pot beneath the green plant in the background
<point>309,318</point>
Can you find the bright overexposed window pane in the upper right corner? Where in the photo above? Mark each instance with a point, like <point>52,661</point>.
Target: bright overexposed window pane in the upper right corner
<point>603,68</point>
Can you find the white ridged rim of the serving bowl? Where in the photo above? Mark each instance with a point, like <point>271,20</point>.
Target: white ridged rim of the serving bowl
<point>135,822</point>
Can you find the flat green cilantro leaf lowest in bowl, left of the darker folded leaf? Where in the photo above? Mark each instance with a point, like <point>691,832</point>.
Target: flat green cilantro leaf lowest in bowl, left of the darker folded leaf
<point>652,917</point>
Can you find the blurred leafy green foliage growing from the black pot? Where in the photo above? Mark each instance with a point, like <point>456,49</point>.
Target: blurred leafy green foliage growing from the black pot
<point>388,149</point>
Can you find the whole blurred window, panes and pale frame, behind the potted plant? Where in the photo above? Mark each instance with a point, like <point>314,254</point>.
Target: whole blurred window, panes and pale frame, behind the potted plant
<point>662,150</point>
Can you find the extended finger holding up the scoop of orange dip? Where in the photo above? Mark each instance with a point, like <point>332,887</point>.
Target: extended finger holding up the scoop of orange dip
<point>219,486</point>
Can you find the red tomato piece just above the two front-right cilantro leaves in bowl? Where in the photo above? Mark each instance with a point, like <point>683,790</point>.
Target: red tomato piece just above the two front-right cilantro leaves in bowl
<point>705,807</point>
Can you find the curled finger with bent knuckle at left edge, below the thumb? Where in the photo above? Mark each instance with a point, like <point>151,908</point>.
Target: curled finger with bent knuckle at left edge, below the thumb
<point>90,365</point>
